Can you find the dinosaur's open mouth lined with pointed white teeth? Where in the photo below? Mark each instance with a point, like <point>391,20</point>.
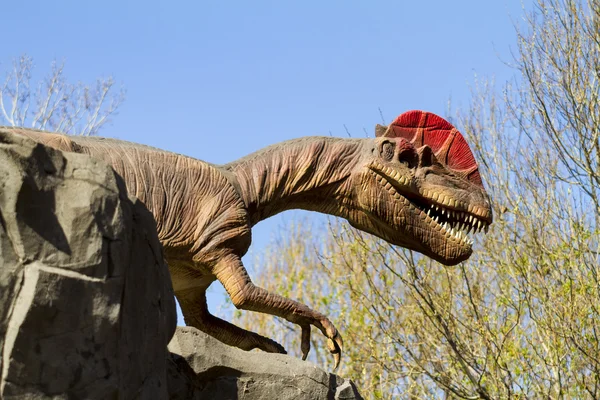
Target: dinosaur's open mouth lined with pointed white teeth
<point>452,219</point>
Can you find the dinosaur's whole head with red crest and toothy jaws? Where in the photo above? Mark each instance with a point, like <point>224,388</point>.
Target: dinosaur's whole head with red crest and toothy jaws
<point>418,186</point>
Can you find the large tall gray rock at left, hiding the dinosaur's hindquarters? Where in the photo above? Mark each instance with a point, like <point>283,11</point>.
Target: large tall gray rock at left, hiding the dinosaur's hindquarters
<point>86,305</point>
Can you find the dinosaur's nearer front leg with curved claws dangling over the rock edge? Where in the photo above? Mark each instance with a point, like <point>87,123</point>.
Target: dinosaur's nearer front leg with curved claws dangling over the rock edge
<point>246,296</point>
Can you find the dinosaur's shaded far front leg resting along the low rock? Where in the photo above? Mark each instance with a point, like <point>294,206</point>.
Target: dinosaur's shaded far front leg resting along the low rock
<point>195,312</point>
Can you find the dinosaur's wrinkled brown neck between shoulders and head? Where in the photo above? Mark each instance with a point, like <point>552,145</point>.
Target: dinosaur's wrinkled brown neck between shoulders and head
<point>309,173</point>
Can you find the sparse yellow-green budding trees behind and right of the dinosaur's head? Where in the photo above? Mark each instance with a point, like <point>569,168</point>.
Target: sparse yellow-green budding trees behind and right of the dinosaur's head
<point>521,318</point>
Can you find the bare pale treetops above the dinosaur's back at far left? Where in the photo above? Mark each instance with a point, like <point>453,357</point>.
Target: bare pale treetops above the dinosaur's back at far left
<point>54,104</point>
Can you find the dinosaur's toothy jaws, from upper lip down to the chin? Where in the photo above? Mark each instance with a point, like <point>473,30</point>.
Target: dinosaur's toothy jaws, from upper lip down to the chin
<point>437,224</point>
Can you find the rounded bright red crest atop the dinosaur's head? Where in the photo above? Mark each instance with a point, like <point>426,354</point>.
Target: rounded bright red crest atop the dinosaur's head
<point>450,147</point>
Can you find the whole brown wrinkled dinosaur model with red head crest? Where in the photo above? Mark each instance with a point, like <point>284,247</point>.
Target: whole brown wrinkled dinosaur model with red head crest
<point>415,185</point>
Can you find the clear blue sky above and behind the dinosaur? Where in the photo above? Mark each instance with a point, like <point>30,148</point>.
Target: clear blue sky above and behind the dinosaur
<point>217,80</point>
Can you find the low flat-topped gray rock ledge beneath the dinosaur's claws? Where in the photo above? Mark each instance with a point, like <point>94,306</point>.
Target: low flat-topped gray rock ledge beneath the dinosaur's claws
<point>201,367</point>
